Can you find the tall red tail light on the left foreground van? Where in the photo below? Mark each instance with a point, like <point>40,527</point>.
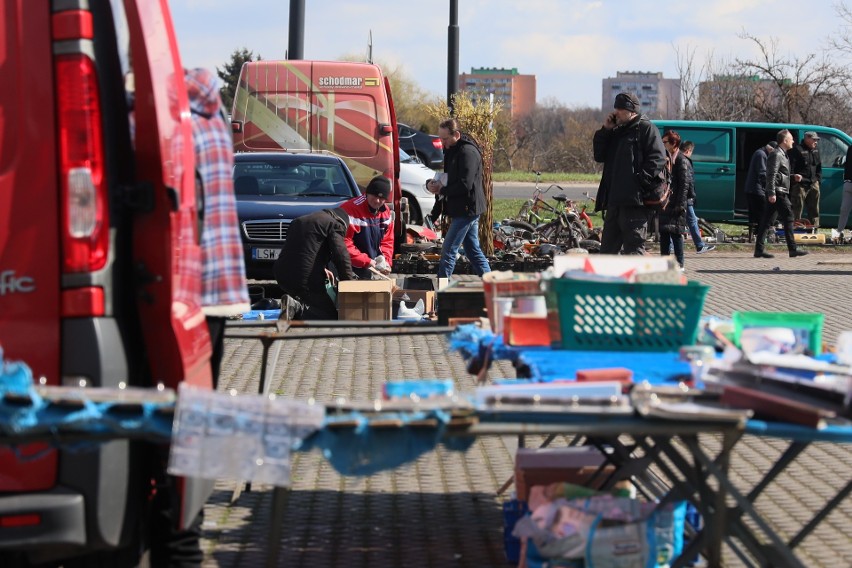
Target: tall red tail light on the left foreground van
<point>84,204</point>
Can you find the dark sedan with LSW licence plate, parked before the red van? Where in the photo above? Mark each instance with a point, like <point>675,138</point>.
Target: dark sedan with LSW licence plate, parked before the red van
<point>273,188</point>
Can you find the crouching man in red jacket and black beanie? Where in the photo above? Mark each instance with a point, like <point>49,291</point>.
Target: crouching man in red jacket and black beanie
<point>369,237</point>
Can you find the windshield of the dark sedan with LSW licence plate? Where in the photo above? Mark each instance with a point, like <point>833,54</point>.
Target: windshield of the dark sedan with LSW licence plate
<point>280,179</point>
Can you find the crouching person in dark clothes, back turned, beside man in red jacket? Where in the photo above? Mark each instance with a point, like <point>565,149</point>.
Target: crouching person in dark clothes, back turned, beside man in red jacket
<point>313,241</point>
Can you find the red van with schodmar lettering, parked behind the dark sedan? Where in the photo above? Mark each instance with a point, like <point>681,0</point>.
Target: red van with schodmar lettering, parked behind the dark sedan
<point>343,107</point>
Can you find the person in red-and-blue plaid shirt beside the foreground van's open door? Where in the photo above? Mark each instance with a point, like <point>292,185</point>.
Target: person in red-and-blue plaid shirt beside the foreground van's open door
<point>224,288</point>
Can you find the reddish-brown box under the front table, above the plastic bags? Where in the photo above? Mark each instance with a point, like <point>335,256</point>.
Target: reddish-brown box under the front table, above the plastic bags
<point>543,466</point>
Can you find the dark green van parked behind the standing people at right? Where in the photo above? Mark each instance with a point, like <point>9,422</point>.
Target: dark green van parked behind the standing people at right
<point>722,154</point>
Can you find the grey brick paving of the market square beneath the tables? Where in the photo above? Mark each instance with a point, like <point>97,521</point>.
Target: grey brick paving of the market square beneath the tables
<point>442,509</point>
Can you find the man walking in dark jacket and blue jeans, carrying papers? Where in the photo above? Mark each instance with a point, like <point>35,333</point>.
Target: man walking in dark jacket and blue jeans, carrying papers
<point>464,199</point>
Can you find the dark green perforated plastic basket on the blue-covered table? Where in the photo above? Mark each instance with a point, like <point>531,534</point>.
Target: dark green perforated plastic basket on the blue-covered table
<point>620,316</point>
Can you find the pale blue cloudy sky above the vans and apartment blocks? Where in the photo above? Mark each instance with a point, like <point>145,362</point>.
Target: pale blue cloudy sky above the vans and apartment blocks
<point>569,45</point>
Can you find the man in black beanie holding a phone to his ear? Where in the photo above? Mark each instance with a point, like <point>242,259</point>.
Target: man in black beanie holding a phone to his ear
<point>633,155</point>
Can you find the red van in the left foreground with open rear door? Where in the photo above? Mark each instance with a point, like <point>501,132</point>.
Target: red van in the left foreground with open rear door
<point>98,260</point>
